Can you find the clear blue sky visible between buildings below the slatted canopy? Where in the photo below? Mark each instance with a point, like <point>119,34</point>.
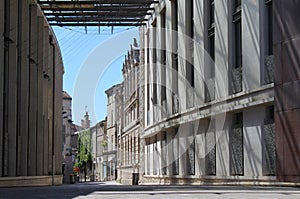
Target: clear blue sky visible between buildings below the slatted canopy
<point>93,63</point>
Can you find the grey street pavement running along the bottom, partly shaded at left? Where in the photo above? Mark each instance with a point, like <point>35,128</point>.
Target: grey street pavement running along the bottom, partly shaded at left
<point>111,190</point>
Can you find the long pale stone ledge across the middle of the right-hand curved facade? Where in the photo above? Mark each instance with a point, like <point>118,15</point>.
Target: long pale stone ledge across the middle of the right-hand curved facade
<point>239,101</point>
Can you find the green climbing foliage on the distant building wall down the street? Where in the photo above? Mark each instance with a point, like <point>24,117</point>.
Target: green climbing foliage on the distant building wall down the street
<point>84,155</point>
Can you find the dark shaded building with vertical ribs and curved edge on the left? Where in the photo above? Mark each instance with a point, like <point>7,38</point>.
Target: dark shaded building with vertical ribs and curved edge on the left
<point>31,71</point>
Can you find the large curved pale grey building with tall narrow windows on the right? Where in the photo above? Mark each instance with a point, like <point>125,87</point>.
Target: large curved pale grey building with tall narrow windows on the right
<point>209,92</point>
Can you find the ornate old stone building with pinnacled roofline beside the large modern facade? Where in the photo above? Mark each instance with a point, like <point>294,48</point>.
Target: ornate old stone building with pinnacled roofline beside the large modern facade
<point>129,137</point>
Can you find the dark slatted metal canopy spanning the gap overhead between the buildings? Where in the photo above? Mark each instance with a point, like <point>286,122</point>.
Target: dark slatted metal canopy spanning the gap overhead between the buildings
<point>97,12</point>
